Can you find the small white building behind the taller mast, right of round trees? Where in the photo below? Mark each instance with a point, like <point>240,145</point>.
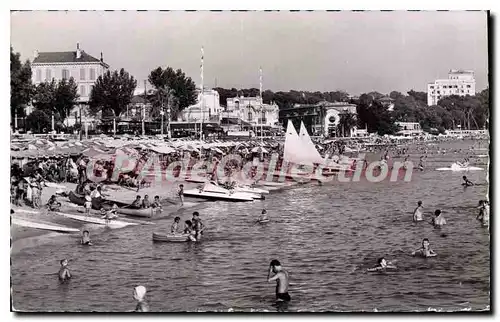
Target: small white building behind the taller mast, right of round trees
<point>209,109</point>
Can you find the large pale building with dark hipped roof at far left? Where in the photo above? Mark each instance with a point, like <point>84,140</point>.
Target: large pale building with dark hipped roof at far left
<point>84,68</point>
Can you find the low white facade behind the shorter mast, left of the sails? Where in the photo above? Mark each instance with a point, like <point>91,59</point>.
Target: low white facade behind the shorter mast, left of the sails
<point>252,110</point>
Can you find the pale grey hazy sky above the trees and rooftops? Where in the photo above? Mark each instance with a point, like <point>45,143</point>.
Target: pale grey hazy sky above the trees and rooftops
<point>357,52</point>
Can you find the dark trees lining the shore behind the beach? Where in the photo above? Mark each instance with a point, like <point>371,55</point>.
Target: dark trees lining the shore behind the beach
<point>174,91</point>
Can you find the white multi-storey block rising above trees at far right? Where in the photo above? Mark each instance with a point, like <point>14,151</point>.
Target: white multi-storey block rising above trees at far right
<point>459,82</point>
